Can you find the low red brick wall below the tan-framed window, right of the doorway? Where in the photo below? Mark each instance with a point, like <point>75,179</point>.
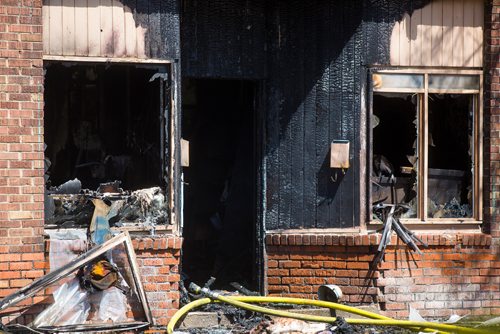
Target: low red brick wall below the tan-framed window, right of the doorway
<point>457,273</point>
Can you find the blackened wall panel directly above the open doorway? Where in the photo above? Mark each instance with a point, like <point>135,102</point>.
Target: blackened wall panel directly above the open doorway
<point>223,38</point>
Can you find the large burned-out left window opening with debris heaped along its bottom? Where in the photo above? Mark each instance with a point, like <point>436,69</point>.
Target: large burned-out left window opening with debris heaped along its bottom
<point>104,135</point>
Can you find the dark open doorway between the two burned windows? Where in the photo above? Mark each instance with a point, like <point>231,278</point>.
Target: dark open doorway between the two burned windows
<point>220,182</point>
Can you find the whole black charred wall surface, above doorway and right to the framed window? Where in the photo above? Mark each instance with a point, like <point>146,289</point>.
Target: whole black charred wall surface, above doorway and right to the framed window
<point>313,57</point>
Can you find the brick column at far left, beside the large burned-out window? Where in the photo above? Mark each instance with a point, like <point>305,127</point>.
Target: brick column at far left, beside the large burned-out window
<point>21,144</point>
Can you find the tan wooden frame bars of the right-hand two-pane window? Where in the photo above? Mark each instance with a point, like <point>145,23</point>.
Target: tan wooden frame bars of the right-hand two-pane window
<point>422,136</point>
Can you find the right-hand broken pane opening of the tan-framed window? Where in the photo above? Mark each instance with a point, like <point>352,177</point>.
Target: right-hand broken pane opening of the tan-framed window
<point>450,156</point>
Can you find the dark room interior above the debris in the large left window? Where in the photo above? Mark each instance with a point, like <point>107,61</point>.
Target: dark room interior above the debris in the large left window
<point>103,123</point>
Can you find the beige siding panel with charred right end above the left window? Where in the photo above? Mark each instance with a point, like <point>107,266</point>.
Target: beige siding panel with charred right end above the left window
<point>111,28</point>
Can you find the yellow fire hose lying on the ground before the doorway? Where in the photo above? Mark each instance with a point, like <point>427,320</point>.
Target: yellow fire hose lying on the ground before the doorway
<point>373,318</point>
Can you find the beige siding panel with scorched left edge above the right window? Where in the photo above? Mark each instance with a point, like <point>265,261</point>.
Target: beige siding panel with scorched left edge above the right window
<point>443,33</point>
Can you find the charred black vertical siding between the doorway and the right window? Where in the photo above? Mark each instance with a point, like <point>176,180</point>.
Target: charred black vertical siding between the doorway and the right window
<point>319,52</point>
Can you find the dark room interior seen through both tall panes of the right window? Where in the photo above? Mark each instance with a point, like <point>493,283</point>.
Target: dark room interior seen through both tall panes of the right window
<point>449,164</point>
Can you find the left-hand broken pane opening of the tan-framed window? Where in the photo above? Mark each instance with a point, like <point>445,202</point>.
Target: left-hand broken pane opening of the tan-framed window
<point>395,158</point>
